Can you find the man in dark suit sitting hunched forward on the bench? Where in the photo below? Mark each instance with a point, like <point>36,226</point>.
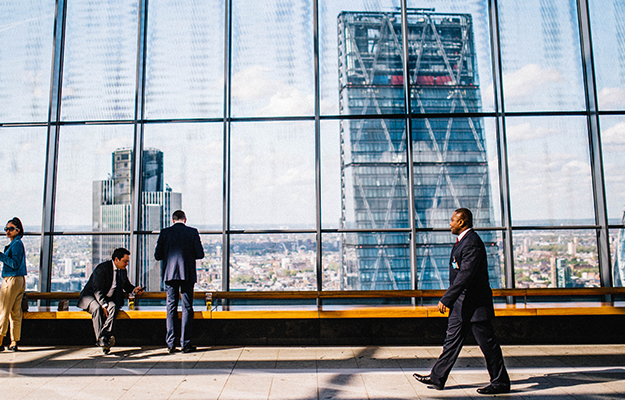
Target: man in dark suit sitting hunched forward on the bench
<point>103,296</point>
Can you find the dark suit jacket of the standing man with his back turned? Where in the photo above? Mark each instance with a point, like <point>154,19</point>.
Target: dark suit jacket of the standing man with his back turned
<point>178,247</point>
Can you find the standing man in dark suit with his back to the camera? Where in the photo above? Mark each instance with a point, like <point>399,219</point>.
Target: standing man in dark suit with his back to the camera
<point>178,247</point>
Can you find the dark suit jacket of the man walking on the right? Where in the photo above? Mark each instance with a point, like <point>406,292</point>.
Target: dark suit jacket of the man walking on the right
<point>469,296</point>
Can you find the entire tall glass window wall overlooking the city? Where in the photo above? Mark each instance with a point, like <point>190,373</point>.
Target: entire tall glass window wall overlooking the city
<point>316,145</point>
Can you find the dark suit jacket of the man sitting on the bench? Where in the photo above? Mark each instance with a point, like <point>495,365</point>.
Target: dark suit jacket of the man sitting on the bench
<point>99,285</point>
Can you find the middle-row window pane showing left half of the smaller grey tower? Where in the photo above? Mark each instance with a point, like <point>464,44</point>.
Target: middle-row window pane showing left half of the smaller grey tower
<point>94,176</point>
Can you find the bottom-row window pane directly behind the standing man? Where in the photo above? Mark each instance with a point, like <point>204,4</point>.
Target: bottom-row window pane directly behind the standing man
<point>208,269</point>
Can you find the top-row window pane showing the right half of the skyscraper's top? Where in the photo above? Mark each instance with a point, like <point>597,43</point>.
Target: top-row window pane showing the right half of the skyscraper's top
<point>450,62</point>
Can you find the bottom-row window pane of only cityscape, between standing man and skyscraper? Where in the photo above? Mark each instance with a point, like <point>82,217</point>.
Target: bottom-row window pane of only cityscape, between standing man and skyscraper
<point>273,262</point>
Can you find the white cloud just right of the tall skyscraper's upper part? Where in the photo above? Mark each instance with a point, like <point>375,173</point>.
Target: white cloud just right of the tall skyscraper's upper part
<point>527,79</point>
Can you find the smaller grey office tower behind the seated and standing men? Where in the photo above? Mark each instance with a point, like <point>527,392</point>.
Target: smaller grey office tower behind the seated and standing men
<point>112,207</point>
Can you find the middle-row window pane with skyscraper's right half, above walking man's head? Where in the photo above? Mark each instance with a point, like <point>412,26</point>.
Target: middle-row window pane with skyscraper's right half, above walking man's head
<point>452,169</point>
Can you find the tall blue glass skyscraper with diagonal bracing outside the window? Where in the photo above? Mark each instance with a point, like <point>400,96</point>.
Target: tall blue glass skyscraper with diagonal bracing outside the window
<point>450,163</point>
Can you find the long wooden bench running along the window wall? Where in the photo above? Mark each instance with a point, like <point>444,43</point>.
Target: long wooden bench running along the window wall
<point>322,310</point>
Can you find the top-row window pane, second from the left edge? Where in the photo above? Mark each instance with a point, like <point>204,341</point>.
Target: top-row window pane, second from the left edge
<point>99,70</point>
